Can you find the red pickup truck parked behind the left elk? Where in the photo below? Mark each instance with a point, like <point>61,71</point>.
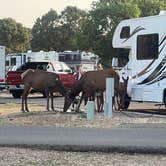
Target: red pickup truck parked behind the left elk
<point>15,83</point>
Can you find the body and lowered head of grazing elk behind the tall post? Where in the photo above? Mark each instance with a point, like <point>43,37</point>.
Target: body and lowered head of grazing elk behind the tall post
<point>90,82</point>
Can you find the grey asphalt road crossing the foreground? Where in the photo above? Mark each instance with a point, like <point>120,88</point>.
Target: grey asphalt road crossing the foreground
<point>137,140</point>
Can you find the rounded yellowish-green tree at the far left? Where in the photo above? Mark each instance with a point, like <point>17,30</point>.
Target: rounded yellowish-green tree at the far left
<point>14,36</point>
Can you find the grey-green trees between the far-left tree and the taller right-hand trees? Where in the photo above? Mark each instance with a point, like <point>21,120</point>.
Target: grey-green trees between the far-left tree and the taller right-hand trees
<point>57,32</point>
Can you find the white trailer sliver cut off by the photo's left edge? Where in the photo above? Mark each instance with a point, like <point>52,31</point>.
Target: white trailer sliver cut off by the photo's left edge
<point>2,67</point>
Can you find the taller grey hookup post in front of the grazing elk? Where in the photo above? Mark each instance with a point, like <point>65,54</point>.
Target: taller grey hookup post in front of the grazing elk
<point>109,97</point>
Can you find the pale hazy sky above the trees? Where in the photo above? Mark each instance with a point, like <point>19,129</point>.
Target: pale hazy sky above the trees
<point>27,11</point>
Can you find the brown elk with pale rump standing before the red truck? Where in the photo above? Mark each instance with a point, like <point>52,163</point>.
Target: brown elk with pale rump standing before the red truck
<point>41,81</point>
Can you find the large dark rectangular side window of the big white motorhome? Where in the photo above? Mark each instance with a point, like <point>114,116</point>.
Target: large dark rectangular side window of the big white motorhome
<point>147,46</point>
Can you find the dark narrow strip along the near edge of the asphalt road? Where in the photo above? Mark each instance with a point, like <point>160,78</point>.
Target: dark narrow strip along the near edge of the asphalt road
<point>91,148</point>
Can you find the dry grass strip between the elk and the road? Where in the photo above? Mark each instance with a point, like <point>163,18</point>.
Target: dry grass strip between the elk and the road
<point>10,114</point>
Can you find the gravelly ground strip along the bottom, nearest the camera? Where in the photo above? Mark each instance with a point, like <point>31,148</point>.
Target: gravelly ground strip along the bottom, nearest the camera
<point>30,157</point>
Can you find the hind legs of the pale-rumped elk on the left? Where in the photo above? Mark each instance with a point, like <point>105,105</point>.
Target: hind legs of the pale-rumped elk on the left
<point>24,98</point>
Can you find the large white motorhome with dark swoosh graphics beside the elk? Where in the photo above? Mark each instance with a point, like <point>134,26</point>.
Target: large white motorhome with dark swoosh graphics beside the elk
<point>146,67</point>
